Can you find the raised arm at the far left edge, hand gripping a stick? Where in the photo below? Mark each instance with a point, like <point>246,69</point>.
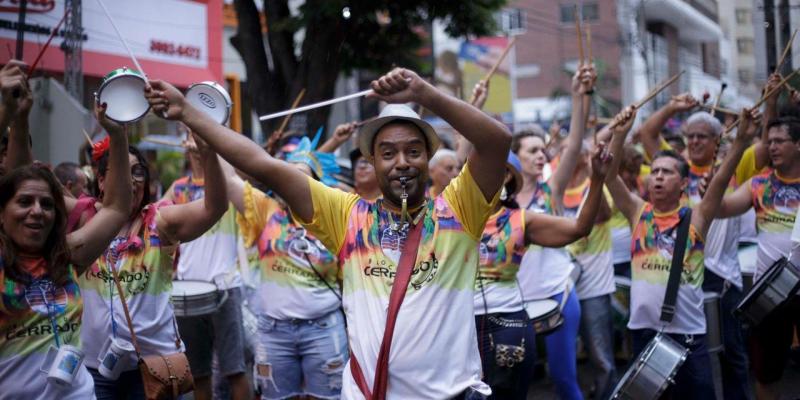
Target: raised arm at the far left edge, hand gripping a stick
<point>13,80</point>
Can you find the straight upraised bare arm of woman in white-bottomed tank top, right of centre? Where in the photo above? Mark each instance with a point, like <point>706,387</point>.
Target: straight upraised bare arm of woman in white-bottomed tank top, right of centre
<point>582,81</point>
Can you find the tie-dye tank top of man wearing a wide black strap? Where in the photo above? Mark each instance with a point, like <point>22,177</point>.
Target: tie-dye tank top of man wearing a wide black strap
<point>653,243</point>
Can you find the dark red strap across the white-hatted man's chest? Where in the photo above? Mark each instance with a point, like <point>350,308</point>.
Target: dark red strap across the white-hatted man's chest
<point>399,287</point>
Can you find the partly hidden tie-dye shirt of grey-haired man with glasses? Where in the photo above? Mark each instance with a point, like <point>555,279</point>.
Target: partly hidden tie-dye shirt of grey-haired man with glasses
<point>722,240</point>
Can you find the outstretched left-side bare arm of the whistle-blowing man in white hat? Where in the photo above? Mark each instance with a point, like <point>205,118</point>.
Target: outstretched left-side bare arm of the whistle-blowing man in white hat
<point>288,182</point>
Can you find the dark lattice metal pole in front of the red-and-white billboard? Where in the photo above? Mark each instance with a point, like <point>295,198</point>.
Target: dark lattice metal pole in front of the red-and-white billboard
<point>73,50</point>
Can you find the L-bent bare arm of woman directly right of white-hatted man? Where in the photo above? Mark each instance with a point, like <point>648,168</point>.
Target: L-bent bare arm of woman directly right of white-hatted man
<point>551,231</point>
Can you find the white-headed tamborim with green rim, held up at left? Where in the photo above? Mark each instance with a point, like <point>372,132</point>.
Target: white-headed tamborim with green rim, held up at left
<point>123,90</point>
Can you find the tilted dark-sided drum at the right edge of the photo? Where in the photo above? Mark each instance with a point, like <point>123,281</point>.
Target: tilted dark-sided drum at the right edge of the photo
<point>778,284</point>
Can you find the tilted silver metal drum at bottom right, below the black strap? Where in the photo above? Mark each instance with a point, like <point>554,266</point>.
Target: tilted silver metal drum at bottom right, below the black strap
<point>653,372</point>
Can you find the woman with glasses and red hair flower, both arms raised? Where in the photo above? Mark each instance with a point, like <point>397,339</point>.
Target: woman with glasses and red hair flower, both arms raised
<point>144,250</point>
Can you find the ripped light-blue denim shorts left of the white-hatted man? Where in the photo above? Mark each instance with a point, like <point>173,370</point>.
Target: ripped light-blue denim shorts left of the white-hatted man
<point>301,357</point>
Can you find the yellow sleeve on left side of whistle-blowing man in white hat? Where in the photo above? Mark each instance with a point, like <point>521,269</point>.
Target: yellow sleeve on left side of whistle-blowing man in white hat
<point>331,213</point>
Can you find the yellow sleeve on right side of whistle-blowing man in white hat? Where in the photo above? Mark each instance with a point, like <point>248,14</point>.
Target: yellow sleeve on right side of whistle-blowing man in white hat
<point>468,202</point>
